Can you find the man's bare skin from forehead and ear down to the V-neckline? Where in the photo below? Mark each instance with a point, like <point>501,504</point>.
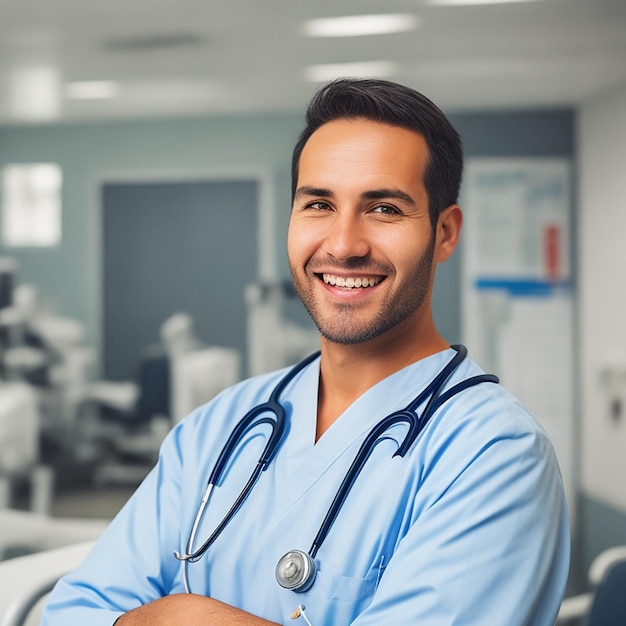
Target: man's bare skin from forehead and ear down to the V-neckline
<point>362,251</point>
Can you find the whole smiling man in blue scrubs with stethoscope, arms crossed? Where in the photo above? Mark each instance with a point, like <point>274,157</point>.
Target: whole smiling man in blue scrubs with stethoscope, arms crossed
<point>395,482</point>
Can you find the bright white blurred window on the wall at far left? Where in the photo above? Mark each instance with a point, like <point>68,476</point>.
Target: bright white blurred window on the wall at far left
<point>31,205</point>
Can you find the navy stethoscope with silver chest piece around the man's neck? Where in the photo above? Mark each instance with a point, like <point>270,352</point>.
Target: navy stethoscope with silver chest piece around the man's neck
<point>296,570</point>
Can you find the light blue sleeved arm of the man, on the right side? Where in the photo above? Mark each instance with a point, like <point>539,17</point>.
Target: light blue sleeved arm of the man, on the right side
<point>493,548</point>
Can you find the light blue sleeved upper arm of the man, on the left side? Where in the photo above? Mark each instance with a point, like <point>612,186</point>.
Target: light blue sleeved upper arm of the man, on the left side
<point>130,564</point>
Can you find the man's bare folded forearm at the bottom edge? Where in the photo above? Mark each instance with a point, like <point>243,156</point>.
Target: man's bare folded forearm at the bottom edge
<point>189,609</point>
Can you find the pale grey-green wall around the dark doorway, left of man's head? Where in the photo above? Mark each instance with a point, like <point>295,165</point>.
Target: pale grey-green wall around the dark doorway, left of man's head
<point>89,153</point>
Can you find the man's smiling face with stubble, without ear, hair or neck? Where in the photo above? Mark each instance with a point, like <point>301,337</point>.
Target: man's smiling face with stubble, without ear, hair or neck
<point>360,245</point>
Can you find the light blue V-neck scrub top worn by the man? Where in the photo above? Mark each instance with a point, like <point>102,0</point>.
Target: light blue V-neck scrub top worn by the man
<point>470,527</point>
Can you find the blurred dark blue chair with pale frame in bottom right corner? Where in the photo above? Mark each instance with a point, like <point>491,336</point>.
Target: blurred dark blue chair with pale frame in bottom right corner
<point>605,605</point>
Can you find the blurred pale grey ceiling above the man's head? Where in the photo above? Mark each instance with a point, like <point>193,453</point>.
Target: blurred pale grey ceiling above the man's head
<point>189,57</point>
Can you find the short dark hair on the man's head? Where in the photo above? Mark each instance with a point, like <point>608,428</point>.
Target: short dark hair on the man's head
<point>397,105</point>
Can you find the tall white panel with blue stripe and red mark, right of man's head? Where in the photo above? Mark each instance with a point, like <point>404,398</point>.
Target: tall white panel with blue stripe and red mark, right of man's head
<point>517,287</point>
